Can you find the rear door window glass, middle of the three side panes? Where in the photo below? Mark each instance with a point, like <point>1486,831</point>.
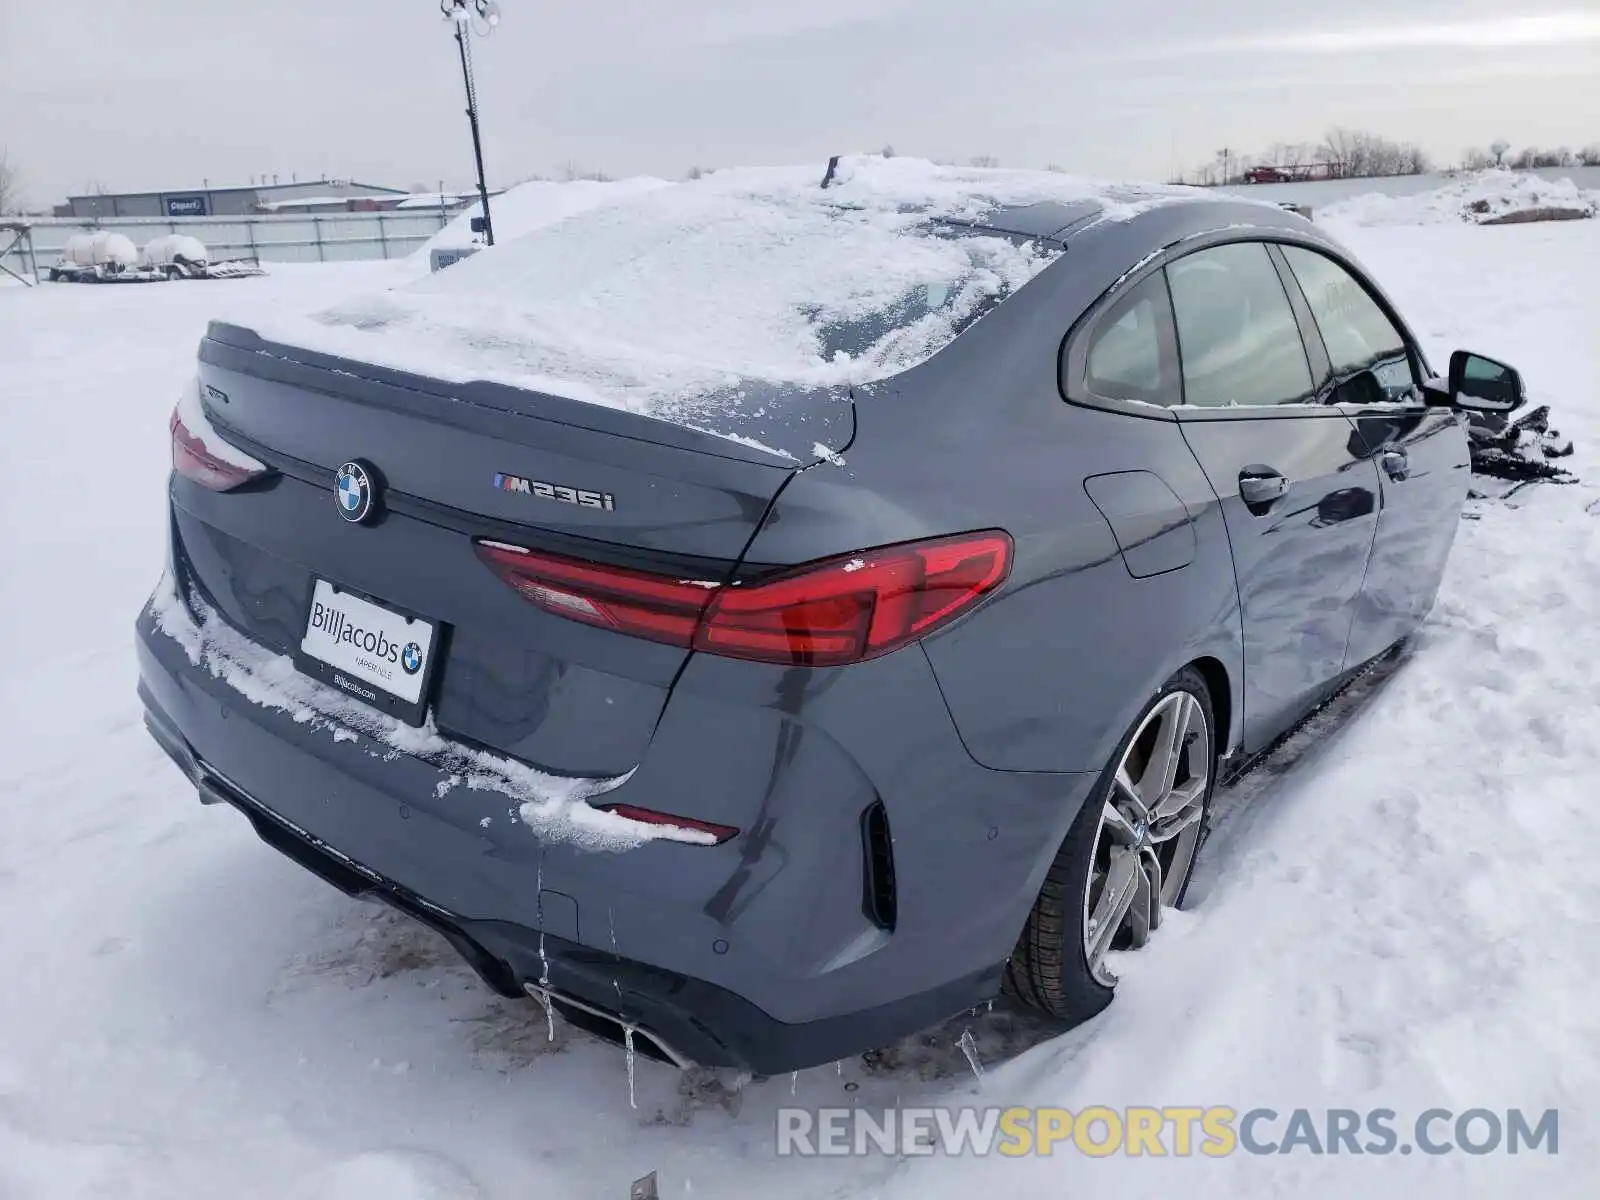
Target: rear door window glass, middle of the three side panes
<point>1238,335</point>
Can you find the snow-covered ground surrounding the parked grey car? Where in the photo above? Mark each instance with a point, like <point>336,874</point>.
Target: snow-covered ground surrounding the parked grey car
<point>1407,919</point>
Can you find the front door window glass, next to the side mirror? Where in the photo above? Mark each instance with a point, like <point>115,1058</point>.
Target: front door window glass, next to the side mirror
<point>1369,354</point>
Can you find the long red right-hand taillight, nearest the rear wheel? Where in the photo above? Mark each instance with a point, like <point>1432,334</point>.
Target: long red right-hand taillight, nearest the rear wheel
<point>828,614</point>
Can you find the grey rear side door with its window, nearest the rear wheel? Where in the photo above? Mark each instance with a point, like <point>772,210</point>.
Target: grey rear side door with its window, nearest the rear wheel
<point>1295,479</point>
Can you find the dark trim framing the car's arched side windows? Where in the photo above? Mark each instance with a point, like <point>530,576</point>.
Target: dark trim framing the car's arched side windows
<point>1073,361</point>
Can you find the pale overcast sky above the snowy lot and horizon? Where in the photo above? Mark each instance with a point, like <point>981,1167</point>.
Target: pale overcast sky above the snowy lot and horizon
<point>164,95</point>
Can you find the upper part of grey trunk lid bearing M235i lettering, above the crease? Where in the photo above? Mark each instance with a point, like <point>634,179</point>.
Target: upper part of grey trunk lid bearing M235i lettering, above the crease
<point>642,482</point>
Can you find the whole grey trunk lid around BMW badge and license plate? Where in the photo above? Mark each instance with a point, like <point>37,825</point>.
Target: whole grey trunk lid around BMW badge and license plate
<point>457,463</point>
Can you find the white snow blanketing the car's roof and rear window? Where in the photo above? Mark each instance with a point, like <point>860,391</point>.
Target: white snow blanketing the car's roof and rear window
<point>690,292</point>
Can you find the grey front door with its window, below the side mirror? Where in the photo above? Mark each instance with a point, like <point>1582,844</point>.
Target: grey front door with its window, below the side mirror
<point>1374,372</point>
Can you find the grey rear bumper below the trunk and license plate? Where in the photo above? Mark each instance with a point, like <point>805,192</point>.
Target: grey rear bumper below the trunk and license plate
<point>754,956</point>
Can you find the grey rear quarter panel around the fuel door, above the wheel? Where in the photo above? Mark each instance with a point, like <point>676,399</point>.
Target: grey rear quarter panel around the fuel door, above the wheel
<point>1050,673</point>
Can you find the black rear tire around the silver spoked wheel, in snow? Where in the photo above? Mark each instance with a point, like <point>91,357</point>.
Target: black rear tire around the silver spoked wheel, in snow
<point>1049,969</point>
